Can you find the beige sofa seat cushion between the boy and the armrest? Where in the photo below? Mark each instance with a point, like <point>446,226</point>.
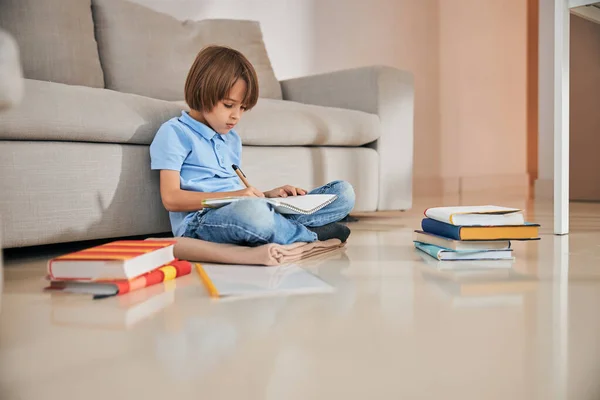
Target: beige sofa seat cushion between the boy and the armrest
<point>286,123</point>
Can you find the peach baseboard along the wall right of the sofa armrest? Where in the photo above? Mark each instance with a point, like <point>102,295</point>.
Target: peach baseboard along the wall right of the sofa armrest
<point>516,185</point>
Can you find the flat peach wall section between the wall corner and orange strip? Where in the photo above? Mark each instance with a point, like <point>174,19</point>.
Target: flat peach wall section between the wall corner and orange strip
<point>483,94</point>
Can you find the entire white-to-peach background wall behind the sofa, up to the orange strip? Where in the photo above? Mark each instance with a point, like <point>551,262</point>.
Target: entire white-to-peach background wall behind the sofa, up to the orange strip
<point>468,58</point>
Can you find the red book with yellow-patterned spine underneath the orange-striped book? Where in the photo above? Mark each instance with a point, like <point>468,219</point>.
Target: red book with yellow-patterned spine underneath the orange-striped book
<point>107,288</point>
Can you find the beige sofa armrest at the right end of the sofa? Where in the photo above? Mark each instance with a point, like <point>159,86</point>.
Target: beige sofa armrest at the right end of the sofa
<point>385,91</point>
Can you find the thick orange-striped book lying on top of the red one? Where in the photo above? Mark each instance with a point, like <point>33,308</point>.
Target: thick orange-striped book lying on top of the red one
<point>119,260</point>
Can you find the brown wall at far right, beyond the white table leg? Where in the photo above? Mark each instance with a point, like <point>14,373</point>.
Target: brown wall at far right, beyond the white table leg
<point>584,104</point>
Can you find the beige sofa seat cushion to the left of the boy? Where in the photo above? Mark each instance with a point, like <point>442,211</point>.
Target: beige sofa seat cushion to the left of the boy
<point>78,113</point>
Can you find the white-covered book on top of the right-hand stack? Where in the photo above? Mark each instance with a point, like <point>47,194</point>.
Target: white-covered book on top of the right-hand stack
<point>477,215</point>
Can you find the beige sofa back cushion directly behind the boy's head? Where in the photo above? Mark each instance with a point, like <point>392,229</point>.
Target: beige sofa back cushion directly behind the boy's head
<point>149,53</point>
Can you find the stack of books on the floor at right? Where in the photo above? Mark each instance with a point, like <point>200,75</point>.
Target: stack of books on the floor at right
<point>472,232</point>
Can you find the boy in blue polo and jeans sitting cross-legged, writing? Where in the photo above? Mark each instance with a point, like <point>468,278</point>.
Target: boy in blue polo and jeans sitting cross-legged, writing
<point>195,153</point>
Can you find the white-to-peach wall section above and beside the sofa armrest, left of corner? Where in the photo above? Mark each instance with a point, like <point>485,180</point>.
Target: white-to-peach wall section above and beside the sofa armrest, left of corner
<point>402,34</point>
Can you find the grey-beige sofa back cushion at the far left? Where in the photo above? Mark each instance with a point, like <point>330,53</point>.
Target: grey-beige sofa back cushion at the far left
<point>56,40</point>
